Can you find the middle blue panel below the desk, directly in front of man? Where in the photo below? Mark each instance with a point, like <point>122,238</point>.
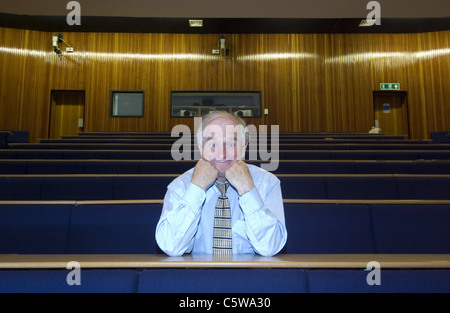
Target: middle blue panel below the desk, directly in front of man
<point>231,281</point>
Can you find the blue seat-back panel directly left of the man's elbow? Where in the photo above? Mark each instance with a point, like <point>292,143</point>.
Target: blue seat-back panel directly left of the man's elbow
<point>113,229</point>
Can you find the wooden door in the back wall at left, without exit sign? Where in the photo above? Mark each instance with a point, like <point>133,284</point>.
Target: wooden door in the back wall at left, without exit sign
<point>66,113</point>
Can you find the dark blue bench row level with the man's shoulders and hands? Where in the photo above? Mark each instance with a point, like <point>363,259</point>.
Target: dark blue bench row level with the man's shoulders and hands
<point>125,187</point>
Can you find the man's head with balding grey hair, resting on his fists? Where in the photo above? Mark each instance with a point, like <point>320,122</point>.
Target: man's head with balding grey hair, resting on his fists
<point>222,140</point>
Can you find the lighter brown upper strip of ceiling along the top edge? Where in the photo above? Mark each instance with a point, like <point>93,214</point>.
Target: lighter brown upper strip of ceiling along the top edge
<point>232,8</point>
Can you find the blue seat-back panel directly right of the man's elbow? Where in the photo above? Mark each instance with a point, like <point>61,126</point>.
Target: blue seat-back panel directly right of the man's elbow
<point>328,228</point>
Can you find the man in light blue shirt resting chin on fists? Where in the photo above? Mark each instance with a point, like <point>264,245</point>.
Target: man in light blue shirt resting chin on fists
<point>223,205</point>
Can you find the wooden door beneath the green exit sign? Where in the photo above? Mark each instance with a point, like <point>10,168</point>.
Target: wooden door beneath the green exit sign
<point>391,112</point>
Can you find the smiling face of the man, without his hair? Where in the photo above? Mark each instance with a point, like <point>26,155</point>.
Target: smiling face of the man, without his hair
<point>222,144</point>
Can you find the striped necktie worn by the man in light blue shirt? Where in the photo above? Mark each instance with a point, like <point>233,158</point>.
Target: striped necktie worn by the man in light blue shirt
<point>222,223</point>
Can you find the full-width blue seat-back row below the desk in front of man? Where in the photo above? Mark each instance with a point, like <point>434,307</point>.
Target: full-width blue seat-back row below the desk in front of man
<point>255,281</point>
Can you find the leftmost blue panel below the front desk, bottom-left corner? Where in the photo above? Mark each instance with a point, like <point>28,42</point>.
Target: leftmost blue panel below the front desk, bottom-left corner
<point>55,281</point>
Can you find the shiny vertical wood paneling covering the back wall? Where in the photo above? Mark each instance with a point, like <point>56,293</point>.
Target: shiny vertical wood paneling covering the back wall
<point>309,82</point>
